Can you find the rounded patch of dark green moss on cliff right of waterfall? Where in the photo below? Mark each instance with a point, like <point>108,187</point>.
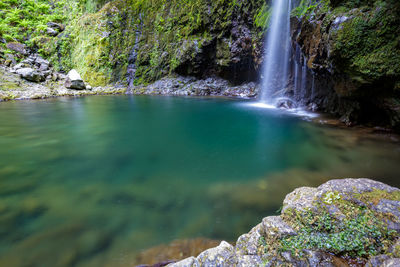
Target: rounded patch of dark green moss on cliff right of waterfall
<point>368,43</point>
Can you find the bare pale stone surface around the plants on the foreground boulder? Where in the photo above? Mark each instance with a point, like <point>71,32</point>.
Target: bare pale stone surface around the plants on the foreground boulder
<point>246,252</point>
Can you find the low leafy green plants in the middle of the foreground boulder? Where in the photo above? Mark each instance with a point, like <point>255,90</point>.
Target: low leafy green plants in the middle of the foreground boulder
<point>359,234</point>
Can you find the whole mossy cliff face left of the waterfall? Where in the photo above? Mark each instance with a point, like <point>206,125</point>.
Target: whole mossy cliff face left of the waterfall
<point>153,39</point>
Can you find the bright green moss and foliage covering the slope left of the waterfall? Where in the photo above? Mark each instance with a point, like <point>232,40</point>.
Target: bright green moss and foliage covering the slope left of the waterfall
<point>100,34</point>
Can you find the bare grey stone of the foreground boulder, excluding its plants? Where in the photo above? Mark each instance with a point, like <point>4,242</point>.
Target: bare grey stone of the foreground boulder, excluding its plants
<point>249,251</point>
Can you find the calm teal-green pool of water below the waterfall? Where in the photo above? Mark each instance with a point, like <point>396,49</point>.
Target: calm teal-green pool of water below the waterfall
<point>93,181</point>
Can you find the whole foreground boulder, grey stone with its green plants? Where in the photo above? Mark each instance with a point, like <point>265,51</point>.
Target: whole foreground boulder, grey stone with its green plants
<point>345,222</point>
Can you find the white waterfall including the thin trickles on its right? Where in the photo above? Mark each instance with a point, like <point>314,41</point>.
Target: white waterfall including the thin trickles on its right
<point>285,72</point>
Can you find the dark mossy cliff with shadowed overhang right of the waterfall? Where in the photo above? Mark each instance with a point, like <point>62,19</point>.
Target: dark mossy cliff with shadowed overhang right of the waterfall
<point>353,50</point>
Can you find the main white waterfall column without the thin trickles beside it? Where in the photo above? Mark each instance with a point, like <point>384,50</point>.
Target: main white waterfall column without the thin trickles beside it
<point>277,52</point>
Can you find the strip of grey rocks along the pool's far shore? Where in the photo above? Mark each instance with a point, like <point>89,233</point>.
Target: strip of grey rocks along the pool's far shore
<point>14,87</point>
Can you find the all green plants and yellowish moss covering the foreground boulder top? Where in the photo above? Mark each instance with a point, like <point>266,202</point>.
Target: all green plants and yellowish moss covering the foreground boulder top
<point>338,226</point>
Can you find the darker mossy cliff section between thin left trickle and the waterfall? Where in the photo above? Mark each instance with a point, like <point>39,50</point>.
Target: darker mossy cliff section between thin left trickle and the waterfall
<point>199,38</point>
